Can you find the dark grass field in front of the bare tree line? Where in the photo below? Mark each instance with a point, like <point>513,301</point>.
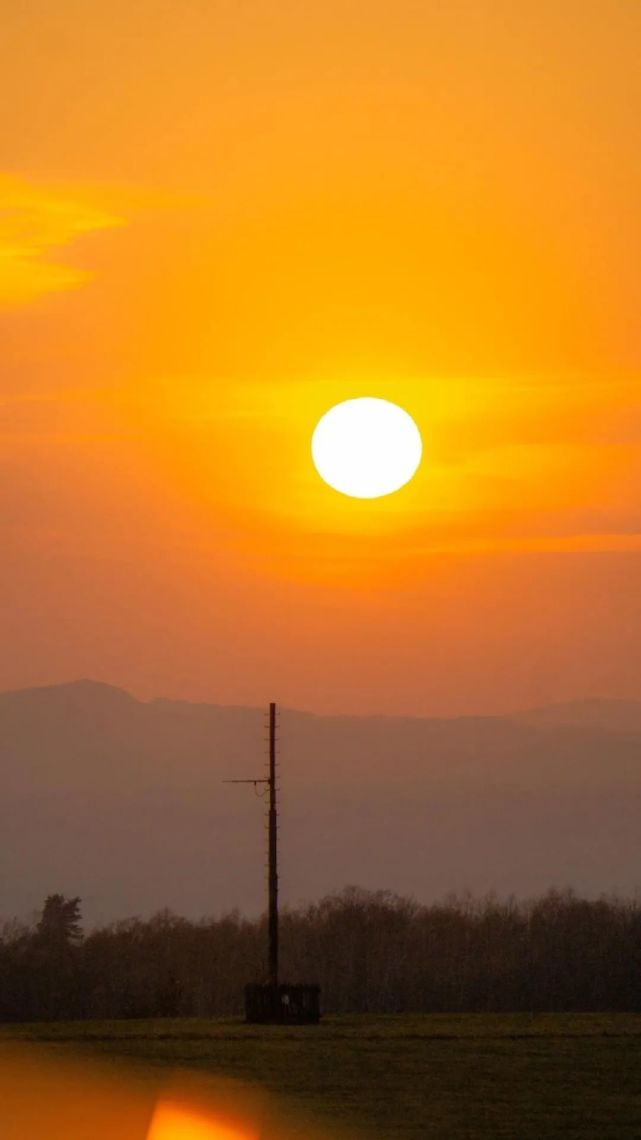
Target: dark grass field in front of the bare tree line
<point>452,1078</point>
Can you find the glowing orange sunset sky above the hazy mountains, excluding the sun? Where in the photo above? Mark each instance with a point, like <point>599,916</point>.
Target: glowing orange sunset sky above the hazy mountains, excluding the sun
<point>217,221</point>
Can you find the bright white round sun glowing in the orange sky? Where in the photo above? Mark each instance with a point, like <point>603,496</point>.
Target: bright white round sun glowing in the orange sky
<point>367,447</point>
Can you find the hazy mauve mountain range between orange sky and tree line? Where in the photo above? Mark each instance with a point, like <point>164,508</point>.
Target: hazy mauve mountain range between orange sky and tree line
<point>123,803</point>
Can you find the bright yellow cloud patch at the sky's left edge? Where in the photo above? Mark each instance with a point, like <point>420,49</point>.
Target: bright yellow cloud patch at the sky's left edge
<point>36,223</point>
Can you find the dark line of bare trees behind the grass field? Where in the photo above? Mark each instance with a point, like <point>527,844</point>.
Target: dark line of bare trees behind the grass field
<point>370,952</point>
